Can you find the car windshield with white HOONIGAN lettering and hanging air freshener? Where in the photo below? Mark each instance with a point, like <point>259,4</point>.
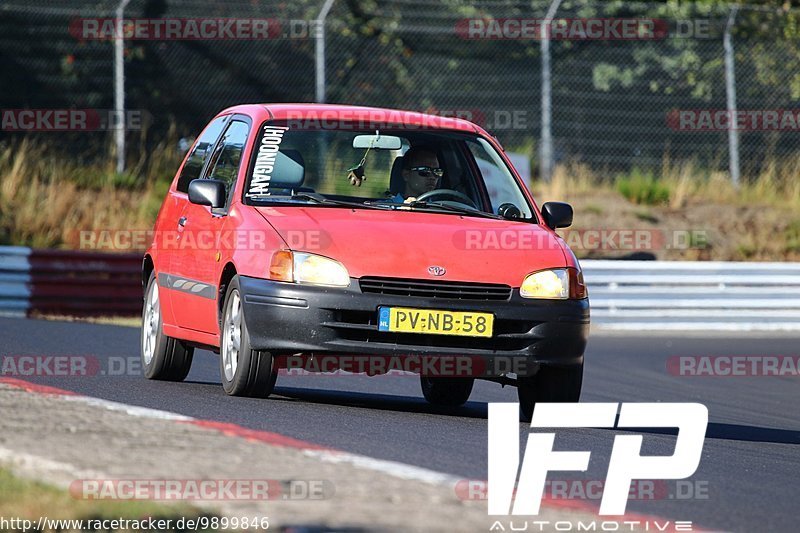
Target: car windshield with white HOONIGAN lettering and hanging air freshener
<point>450,172</point>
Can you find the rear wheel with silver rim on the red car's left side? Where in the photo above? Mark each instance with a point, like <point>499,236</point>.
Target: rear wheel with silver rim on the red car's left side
<point>170,359</point>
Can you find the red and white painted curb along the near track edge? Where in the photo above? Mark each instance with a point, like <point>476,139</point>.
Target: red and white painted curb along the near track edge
<point>315,451</point>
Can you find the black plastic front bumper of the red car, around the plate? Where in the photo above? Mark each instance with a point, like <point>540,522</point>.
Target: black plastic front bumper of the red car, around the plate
<point>287,318</point>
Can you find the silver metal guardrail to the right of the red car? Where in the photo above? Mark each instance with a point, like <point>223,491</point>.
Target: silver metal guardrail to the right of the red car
<point>700,296</point>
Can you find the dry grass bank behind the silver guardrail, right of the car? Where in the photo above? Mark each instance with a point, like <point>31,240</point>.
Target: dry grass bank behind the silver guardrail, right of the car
<point>759,220</point>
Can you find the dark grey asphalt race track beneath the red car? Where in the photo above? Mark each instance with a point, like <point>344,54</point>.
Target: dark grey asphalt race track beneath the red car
<point>751,461</point>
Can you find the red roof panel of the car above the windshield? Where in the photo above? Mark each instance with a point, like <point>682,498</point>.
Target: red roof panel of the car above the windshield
<point>368,115</point>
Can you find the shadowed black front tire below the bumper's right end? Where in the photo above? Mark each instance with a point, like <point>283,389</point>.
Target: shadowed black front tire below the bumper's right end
<point>551,384</point>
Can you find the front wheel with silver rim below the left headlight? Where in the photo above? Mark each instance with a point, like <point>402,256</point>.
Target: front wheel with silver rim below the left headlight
<point>254,372</point>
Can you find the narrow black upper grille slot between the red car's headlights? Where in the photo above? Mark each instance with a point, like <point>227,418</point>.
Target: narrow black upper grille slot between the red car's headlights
<point>453,290</point>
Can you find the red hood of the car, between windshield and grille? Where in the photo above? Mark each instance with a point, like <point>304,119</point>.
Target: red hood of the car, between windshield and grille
<point>404,244</point>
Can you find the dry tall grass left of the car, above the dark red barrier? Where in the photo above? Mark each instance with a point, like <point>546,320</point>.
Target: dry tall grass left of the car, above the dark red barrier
<point>45,199</point>
